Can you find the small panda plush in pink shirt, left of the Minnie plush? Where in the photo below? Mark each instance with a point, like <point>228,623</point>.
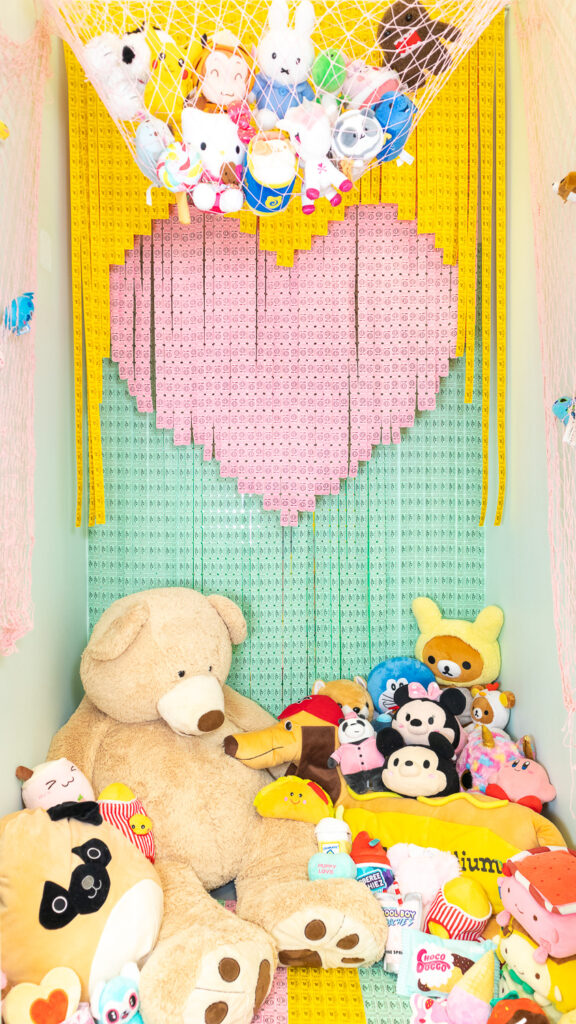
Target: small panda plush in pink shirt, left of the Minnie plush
<point>358,756</point>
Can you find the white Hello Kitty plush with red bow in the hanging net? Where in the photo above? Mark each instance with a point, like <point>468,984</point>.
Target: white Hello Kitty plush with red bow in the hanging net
<point>215,138</point>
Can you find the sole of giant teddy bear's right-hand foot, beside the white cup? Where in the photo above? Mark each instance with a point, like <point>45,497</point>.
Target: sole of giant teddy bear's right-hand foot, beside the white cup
<point>325,936</point>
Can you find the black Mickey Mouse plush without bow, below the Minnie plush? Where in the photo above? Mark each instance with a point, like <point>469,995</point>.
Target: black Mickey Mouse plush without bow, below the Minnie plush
<point>417,771</point>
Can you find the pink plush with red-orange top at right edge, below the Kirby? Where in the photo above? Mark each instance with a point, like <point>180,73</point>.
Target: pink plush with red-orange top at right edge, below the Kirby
<point>539,889</point>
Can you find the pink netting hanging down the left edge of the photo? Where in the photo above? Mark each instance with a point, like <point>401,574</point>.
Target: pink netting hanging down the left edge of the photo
<point>23,72</point>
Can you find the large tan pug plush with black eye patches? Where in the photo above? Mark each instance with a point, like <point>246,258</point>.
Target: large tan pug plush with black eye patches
<point>73,892</point>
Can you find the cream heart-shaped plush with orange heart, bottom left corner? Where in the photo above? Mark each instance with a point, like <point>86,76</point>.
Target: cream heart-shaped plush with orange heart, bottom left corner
<point>53,1002</point>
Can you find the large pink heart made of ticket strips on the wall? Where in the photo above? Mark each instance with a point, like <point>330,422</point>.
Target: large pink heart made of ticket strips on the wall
<point>289,376</point>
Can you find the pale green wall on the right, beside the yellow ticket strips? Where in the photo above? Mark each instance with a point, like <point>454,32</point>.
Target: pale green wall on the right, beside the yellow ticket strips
<point>518,552</point>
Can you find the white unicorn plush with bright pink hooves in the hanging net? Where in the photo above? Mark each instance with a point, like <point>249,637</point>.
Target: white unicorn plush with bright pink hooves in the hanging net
<point>310,129</point>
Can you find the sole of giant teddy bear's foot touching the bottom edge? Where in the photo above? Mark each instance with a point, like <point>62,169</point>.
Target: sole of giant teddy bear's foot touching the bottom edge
<point>232,984</point>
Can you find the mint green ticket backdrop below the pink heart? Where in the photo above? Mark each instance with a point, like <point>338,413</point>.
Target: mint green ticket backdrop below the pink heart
<point>330,599</point>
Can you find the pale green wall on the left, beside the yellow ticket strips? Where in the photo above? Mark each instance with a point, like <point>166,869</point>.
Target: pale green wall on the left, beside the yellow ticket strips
<point>38,685</point>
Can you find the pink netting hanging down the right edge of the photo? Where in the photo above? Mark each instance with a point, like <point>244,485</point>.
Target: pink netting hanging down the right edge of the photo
<point>547,42</point>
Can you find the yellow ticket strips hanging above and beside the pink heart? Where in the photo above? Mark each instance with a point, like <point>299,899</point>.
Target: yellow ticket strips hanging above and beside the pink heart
<point>440,190</point>
